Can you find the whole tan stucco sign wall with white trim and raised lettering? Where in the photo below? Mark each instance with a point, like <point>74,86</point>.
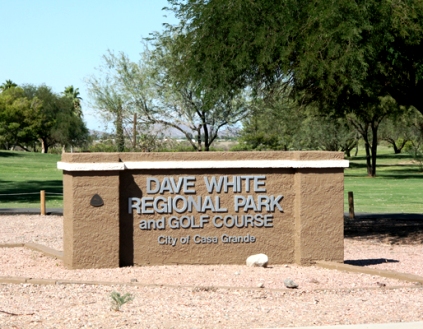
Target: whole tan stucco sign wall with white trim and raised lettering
<point>202,208</point>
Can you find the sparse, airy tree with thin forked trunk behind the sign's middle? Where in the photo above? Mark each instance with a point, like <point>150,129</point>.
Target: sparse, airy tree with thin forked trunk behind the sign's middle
<point>204,112</point>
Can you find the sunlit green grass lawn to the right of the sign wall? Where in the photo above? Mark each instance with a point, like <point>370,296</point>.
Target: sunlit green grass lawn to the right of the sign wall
<point>397,187</point>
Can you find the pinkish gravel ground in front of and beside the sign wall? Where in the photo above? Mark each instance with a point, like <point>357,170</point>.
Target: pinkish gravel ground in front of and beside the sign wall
<point>202,296</point>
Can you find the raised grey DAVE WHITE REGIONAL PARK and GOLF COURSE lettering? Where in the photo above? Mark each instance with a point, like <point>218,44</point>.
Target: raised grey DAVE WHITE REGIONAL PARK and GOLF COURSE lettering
<point>185,204</point>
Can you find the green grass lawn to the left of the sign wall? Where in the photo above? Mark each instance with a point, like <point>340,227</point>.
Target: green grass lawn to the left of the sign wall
<point>25,174</point>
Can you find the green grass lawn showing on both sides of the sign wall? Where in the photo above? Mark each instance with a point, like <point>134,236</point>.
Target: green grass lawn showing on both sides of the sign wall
<point>398,187</point>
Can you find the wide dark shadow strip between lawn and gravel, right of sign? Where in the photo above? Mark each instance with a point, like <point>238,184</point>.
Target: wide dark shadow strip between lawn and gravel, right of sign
<point>386,228</point>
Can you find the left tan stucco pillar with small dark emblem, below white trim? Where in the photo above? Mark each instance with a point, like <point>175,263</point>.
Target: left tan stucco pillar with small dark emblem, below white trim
<point>91,234</point>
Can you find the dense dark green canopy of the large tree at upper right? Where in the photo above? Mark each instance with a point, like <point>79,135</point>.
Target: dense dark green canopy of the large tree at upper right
<point>337,54</point>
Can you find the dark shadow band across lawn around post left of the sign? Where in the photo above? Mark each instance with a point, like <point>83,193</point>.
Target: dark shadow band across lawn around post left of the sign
<point>29,191</point>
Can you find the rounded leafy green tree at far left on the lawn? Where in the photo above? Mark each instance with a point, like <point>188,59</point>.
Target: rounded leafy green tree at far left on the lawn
<point>32,114</point>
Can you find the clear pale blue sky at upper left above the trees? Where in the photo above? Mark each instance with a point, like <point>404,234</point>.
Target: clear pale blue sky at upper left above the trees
<point>60,43</point>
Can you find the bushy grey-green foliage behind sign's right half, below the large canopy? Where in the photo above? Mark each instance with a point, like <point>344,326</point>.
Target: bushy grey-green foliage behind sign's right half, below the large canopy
<point>284,125</point>
